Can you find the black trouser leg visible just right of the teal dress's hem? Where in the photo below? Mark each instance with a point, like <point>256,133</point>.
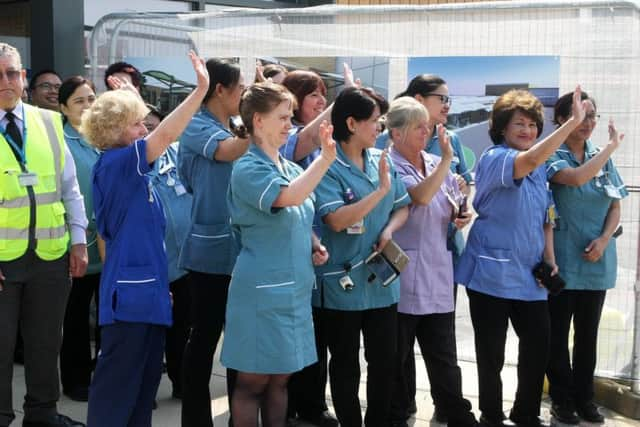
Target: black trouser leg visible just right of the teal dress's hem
<point>306,388</point>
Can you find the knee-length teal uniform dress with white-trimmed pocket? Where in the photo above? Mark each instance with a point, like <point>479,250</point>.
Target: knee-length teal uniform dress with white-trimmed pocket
<point>269,328</point>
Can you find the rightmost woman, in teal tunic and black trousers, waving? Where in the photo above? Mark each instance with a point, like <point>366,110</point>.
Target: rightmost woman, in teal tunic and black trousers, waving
<point>587,190</point>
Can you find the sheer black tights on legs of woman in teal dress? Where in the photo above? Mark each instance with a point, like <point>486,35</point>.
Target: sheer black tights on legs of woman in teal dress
<point>265,392</point>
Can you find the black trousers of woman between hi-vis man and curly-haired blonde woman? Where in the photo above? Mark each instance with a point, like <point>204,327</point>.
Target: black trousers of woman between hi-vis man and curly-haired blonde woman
<point>76,359</point>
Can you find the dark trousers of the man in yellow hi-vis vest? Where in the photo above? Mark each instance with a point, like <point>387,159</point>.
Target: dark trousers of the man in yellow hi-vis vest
<point>35,296</point>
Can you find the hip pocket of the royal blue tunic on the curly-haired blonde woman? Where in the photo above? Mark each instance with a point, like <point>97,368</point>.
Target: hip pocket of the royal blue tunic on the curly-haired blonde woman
<point>134,294</point>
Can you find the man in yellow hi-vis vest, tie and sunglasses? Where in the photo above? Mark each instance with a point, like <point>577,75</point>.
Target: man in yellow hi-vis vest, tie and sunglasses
<point>42,244</point>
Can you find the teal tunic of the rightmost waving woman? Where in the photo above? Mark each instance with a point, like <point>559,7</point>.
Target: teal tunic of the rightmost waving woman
<point>582,213</point>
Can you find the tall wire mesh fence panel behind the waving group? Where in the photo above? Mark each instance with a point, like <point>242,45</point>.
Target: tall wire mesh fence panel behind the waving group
<point>597,44</point>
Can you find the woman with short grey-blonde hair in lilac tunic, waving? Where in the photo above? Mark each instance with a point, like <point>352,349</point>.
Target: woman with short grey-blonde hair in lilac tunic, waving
<point>426,307</point>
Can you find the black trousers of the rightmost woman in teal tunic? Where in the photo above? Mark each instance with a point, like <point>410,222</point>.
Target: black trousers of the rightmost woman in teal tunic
<point>571,382</point>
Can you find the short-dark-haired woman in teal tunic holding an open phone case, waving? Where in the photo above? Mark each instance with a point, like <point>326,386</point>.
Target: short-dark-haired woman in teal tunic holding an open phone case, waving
<point>362,202</point>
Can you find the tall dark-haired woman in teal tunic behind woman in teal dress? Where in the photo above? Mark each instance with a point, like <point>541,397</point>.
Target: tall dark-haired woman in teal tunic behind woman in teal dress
<point>207,151</point>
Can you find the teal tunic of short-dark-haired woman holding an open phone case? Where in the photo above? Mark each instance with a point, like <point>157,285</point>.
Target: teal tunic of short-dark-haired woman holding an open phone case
<point>345,183</point>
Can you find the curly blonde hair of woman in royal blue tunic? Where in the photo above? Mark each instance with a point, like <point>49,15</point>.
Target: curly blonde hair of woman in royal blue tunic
<point>106,120</point>
